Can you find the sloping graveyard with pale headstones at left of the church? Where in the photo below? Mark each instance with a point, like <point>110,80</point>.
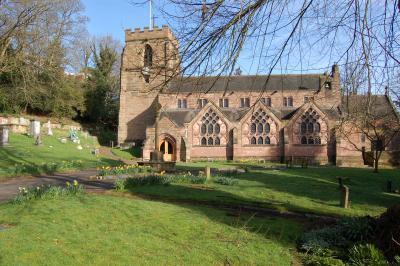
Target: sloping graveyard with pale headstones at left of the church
<point>23,153</point>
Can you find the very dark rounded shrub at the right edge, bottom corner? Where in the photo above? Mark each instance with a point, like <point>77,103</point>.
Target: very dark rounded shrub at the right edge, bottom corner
<point>387,229</point>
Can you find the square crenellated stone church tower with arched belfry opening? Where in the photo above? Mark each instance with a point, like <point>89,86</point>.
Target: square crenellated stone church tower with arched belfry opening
<point>149,59</point>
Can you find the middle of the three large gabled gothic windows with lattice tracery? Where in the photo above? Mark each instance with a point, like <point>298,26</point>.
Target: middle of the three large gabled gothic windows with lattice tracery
<point>260,128</point>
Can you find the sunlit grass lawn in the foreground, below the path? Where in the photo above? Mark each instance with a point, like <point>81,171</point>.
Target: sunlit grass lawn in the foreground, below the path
<point>105,230</point>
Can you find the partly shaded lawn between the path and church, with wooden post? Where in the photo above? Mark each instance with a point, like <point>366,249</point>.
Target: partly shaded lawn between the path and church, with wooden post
<point>312,190</point>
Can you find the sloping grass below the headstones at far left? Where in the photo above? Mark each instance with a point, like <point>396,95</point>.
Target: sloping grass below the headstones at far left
<point>22,156</point>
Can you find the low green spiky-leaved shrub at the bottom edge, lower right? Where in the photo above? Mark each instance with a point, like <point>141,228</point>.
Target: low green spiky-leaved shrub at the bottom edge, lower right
<point>366,254</point>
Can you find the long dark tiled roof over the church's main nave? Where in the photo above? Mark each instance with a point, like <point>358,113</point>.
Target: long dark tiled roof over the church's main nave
<point>244,83</point>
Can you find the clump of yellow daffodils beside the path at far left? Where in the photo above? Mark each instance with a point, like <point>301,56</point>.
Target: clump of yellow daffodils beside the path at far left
<point>47,192</point>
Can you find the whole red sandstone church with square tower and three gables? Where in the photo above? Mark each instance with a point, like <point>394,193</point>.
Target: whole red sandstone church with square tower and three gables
<point>276,118</point>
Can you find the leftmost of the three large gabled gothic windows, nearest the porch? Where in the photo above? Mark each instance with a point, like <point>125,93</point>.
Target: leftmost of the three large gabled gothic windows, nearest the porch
<point>210,129</point>
